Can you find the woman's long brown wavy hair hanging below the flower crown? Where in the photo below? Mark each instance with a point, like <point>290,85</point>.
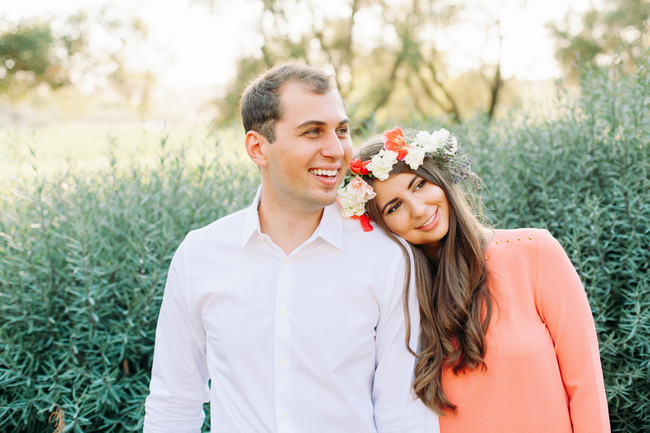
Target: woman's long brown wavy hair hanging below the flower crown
<point>455,303</point>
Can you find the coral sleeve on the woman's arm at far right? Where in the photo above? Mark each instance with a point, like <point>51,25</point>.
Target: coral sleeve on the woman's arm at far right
<point>563,306</point>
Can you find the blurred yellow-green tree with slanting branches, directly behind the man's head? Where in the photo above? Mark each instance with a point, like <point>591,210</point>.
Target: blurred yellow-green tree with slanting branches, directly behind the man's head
<point>376,48</point>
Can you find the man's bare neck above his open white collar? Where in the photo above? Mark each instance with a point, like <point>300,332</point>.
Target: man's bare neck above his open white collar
<point>287,227</point>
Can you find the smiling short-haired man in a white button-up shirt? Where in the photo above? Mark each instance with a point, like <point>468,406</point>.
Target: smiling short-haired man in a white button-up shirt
<point>292,313</point>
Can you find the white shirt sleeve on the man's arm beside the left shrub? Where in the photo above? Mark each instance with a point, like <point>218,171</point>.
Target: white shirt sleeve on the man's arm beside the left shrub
<point>179,377</point>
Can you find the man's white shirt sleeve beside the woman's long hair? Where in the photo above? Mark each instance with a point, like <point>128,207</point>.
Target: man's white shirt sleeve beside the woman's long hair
<point>396,408</point>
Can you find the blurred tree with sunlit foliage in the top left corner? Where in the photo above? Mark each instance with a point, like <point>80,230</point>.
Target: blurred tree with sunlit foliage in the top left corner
<point>51,53</point>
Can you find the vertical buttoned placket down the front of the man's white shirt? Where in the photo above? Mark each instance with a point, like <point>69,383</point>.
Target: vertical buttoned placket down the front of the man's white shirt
<point>282,347</point>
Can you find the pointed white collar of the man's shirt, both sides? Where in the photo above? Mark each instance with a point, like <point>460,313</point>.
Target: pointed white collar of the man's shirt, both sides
<point>330,228</point>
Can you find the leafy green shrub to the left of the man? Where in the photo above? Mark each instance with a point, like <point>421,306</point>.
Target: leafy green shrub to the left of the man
<point>83,262</point>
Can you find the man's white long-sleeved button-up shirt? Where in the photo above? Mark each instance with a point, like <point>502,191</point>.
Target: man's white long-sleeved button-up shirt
<point>310,342</point>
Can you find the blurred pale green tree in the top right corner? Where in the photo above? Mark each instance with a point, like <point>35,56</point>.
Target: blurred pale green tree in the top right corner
<point>618,30</point>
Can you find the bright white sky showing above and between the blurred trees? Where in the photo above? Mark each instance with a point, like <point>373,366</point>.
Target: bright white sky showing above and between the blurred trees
<point>190,47</point>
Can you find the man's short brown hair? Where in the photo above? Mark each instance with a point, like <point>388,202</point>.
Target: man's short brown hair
<point>261,105</point>
